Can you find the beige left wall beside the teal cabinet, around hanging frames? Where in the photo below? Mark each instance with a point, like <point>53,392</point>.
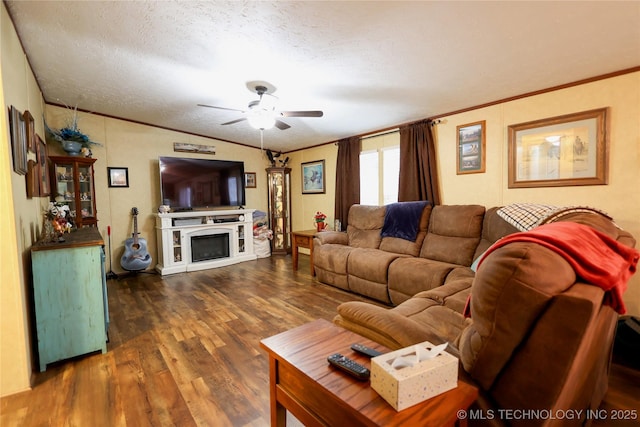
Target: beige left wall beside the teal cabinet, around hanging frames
<point>20,219</point>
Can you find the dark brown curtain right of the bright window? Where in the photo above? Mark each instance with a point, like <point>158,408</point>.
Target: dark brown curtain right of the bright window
<point>418,171</point>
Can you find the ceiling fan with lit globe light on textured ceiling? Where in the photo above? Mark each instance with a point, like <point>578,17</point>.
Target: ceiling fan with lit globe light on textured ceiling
<point>262,113</point>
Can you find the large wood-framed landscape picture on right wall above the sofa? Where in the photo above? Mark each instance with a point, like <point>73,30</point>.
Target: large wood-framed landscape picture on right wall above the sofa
<point>567,150</point>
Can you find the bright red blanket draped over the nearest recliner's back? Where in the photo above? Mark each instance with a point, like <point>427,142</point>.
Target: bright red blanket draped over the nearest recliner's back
<point>595,257</point>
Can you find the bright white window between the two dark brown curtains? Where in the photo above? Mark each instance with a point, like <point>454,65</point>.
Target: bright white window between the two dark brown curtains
<point>379,174</point>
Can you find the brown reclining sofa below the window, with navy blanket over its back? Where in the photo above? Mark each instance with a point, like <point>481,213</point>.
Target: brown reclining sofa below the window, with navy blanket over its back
<point>392,270</point>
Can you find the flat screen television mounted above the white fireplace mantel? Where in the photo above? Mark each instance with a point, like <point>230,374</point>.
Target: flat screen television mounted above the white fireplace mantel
<point>187,184</point>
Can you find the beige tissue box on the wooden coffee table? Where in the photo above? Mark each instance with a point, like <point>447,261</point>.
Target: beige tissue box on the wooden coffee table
<point>406,386</point>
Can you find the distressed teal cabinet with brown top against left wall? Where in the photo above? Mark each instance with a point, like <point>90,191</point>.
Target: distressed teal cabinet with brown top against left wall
<point>70,296</point>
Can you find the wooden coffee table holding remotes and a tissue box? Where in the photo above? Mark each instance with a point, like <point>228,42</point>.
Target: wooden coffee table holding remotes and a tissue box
<point>303,383</point>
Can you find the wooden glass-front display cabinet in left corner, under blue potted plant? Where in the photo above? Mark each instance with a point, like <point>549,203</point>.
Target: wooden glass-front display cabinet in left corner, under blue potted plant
<point>73,185</point>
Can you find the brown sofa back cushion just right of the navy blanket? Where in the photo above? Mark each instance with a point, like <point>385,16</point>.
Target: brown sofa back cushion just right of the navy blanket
<point>454,233</point>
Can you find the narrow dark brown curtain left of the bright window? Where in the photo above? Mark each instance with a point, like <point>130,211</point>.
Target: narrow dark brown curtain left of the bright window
<point>347,178</point>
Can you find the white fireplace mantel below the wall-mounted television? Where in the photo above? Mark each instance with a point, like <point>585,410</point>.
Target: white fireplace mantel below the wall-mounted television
<point>175,230</point>
